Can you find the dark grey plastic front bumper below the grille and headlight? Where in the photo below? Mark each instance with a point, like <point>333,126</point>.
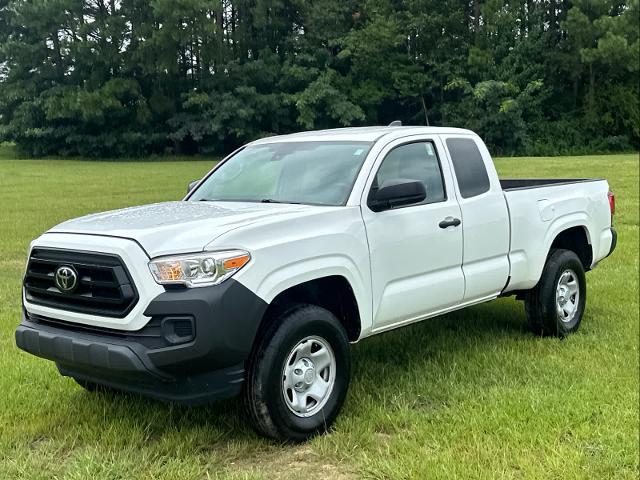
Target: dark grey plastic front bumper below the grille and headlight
<point>205,364</point>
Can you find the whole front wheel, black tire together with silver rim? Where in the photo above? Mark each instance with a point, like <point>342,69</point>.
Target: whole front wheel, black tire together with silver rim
<point>299,374</point>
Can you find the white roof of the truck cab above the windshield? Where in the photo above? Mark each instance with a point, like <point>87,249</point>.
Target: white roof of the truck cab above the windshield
<point>362,134</point>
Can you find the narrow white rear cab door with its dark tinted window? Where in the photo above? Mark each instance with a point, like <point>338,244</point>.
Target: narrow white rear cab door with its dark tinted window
<point>485,217</point>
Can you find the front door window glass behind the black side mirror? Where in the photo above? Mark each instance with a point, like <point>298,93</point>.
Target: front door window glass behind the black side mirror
<point>413,161</point>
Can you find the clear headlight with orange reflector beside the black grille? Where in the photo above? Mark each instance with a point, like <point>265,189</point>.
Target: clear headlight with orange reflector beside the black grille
<point>198,269</point>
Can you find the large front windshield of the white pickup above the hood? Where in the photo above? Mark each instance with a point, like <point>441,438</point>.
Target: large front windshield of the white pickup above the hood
<point>317,173</point>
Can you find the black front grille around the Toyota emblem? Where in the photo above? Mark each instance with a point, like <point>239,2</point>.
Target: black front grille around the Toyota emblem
<point>104,286</point>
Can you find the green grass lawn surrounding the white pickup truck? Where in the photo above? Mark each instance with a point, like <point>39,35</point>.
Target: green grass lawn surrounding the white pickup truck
<point>469,395</point>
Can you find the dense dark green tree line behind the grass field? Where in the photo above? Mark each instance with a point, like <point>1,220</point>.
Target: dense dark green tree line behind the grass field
<point>132,77</point>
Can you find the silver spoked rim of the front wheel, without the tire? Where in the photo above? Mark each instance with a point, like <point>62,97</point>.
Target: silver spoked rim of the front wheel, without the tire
<point>308,376</point>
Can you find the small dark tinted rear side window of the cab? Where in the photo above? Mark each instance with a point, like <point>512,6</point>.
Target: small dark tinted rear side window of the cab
<point>469,167</point>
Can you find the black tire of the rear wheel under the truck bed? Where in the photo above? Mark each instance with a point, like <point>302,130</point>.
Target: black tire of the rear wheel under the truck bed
<point>540,303</point>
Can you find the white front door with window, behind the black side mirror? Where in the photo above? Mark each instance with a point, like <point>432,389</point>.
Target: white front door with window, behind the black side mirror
<point>416,264</point>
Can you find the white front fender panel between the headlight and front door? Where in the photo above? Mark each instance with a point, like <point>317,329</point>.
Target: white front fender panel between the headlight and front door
<point>323,242</point>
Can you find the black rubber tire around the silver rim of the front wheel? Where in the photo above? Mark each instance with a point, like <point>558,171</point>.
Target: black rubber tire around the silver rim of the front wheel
<point>264,397</point>
